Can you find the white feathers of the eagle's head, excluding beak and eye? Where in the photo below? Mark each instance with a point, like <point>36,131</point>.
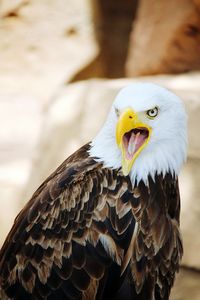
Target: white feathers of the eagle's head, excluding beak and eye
<point>166,149</point>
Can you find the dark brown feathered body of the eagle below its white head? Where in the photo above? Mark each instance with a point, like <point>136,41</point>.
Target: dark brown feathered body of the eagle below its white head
<point>88,234</point>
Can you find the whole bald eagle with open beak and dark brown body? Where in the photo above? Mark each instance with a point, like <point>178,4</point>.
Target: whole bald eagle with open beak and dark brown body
<point>105,224</point>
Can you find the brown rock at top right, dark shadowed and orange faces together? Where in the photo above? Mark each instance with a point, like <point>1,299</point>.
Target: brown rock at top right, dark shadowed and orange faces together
<point>140,37</point>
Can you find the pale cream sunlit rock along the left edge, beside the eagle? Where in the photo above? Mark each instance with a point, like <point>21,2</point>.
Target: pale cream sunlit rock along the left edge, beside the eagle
<point>42,44</point>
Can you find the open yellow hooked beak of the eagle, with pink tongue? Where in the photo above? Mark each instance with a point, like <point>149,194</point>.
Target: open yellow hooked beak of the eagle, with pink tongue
<point>132,136</point>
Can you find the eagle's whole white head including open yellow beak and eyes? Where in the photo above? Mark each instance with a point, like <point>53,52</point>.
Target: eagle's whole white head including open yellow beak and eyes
<point>145,133</point>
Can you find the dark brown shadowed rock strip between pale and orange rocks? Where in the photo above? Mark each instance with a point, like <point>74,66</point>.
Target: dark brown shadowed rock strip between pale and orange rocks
<point>112,22</point>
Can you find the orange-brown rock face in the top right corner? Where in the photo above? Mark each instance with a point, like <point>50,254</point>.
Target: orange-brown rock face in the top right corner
<point>165,38</point>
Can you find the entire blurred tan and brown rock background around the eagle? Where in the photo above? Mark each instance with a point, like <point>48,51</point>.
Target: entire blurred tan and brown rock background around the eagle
<point>61,64</point>
